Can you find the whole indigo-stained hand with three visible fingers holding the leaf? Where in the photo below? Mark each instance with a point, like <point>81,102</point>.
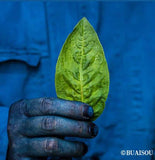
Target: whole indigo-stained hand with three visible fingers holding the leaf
<point>36,128</point>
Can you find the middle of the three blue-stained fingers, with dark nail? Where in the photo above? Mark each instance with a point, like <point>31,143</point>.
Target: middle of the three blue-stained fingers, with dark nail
<point>58,126</point>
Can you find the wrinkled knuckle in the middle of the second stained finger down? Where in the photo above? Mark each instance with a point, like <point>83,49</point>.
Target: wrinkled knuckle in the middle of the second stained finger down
<point>49,123</point>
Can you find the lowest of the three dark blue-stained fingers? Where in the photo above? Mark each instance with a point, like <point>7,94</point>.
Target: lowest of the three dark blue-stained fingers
<point>46,147</point>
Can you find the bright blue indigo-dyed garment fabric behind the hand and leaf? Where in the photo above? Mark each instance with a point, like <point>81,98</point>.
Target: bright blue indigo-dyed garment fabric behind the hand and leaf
<point>31,37</point>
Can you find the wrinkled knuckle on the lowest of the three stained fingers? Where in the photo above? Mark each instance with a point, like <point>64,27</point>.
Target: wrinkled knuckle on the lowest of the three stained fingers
<point>51,145</point>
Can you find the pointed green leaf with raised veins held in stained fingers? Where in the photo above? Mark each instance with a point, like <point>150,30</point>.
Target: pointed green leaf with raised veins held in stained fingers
<point>81,71</point>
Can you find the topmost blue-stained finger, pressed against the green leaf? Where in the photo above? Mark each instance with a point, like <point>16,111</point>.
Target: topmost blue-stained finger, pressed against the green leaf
<point>58,107</point>
